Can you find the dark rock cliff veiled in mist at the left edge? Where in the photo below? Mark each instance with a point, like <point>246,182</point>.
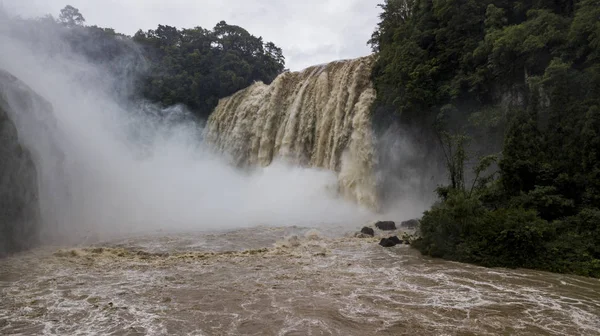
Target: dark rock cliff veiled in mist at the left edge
<point>27,134</point>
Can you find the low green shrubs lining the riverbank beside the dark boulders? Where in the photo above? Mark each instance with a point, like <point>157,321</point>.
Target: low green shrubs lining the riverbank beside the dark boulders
<point>463,229</point>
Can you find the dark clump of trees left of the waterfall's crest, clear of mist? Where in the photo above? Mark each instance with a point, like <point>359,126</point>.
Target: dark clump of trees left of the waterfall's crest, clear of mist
<point>197,67</point>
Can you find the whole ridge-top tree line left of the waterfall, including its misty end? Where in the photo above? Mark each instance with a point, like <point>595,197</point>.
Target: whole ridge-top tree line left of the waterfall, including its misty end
<point>195,67</point>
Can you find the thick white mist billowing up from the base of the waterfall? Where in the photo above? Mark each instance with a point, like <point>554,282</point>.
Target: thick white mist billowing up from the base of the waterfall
<point>128,170</point>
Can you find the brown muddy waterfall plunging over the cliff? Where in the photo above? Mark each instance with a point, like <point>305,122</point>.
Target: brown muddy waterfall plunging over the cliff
<point>319,117</point>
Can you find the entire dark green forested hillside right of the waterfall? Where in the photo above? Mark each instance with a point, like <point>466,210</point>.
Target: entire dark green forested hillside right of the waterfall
<point>527,72</point>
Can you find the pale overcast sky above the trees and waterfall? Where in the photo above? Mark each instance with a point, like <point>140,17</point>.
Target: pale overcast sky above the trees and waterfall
<point>309,31</point>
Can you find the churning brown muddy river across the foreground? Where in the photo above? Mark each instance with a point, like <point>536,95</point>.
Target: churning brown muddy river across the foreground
<point>280,281</point>
